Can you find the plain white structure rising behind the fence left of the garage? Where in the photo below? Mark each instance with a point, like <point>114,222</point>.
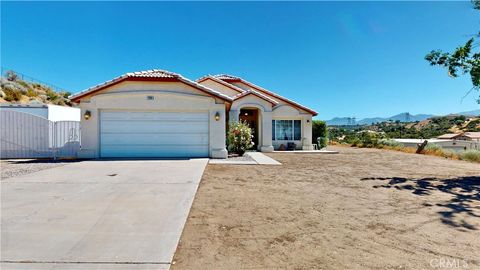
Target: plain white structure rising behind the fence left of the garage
<point>47,111</point>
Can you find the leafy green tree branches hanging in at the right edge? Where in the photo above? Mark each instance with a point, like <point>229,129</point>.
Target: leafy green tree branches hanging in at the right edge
<point>461,61</point>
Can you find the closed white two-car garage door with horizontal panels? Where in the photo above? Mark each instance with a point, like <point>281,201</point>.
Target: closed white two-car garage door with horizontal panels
<point>153,134</point>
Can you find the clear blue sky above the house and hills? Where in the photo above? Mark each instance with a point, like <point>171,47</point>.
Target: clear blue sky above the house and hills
<point>359,59</point>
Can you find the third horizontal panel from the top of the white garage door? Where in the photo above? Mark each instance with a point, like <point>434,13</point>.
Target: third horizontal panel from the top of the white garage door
<point>155,139</point>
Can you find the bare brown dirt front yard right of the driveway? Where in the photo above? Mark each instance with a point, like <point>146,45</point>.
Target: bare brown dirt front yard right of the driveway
<point>359,209</point>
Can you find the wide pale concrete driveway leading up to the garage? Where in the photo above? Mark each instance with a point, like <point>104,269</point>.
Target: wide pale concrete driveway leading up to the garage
<point>97,214</point>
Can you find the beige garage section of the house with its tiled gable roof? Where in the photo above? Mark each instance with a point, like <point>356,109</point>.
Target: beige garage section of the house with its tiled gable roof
<point>152,114</point>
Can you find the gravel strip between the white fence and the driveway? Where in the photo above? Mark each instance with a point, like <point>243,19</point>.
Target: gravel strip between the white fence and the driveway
<point>18,167</point>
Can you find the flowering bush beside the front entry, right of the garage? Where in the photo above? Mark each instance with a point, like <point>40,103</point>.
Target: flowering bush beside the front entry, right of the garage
<point>239,138</point>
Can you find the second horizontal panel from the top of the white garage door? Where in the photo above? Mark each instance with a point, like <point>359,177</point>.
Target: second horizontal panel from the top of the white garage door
<point>130,126</point>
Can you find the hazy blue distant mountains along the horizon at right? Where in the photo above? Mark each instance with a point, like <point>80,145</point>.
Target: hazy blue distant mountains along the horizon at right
<point>402,117</point>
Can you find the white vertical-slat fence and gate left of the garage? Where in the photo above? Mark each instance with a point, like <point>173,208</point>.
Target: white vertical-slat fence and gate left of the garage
<point>25,135</point>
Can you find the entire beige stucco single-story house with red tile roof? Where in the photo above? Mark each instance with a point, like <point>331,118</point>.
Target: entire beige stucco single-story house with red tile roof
<point>157,113</point>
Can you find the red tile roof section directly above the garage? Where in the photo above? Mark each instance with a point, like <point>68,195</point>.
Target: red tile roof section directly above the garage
<point>149,75</point>
